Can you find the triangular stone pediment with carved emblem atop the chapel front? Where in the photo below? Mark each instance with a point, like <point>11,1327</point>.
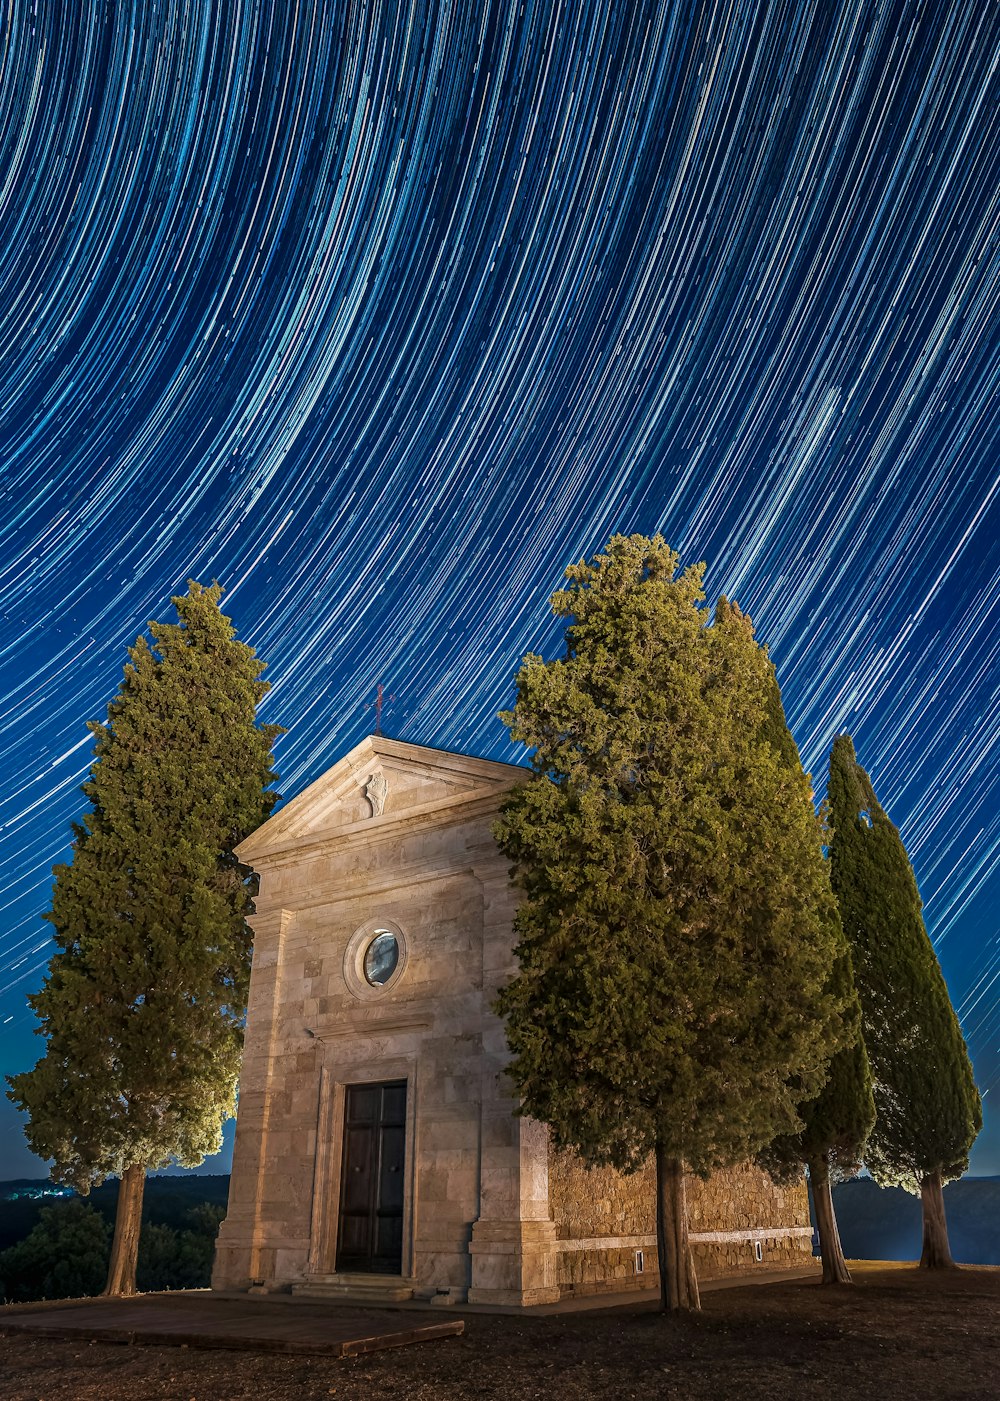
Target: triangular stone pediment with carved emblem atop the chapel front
<point>379,782</point>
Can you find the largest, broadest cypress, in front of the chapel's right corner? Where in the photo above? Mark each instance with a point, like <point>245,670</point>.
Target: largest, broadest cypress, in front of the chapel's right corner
<point>676,935</point>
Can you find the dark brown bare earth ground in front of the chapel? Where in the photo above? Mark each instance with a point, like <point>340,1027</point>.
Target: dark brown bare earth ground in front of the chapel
<point>900,1334</point>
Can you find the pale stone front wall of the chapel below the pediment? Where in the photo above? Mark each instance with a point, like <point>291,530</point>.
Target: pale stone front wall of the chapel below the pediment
<point>310,1036</point>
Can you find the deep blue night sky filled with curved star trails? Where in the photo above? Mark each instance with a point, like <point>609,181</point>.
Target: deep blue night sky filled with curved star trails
<point>382,315</point>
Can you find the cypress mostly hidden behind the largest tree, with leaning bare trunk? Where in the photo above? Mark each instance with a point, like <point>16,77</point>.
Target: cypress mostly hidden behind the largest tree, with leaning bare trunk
<point>837,1122</point>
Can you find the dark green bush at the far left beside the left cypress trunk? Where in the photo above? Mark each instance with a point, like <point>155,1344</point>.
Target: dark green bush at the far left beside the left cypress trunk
<point>65,1256</point>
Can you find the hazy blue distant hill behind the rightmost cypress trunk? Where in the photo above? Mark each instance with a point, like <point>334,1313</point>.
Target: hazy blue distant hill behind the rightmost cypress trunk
<point>884,1222</point>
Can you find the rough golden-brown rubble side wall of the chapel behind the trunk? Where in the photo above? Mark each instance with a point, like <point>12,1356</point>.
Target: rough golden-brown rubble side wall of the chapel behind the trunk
<point>604,1217</point>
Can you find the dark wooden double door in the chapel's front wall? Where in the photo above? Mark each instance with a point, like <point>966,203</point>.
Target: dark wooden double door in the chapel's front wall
<point>370,1235</point>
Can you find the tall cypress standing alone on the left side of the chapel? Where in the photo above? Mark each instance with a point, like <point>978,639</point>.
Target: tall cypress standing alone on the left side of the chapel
<point>145,998</point>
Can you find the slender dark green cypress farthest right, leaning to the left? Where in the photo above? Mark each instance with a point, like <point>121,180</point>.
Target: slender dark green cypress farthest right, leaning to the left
<point>928,1106</point>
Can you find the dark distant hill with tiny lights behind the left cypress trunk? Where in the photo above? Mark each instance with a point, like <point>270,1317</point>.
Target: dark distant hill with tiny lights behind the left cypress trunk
<point>166,1203</point>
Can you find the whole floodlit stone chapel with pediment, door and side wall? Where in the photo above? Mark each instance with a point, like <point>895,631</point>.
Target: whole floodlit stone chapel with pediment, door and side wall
<point>377,1150</point>
